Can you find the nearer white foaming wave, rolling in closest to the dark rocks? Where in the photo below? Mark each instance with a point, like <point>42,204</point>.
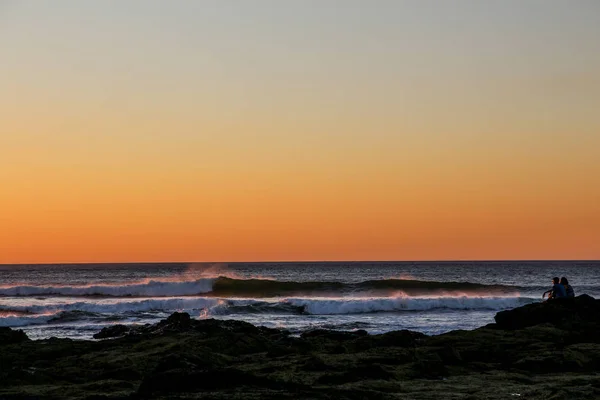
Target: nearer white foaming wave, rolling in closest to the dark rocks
<point>207,306</point>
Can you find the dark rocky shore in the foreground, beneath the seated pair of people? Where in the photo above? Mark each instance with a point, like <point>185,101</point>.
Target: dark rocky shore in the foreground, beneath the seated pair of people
<point>540,351</point>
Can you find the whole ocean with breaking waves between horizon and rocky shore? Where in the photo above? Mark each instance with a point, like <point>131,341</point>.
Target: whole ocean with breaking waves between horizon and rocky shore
<point>77,300</point>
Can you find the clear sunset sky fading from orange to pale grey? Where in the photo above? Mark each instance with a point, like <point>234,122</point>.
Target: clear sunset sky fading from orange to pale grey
<point>139,130</point>
